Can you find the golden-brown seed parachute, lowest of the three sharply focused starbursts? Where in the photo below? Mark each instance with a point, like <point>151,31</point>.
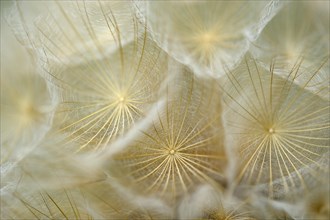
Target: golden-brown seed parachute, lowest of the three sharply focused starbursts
<point>181,148</point>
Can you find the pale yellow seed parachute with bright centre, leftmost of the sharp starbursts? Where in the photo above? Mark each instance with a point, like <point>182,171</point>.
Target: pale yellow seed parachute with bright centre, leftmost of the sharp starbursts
<point>106,88</point>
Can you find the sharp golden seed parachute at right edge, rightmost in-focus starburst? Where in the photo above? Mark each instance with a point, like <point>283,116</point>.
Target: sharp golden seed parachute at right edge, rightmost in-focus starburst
<point>279,129</point>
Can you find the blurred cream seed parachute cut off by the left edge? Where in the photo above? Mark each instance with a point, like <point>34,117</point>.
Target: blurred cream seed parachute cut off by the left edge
<point>25,113</point>
